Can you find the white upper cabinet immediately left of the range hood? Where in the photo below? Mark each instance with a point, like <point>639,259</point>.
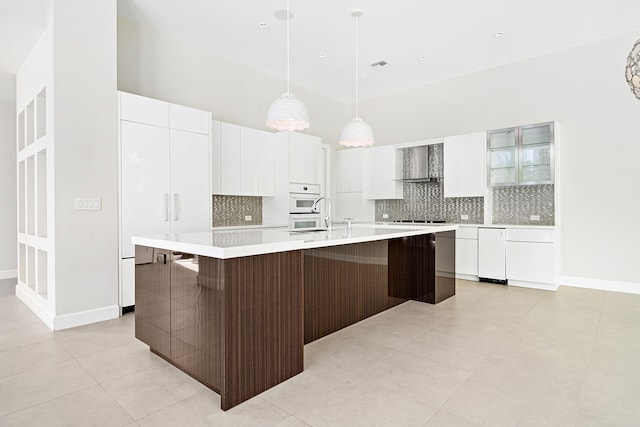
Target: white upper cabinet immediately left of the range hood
<point>383,166</point>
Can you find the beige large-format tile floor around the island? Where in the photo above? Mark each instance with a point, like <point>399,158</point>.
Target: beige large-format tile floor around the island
<point>490,356</point>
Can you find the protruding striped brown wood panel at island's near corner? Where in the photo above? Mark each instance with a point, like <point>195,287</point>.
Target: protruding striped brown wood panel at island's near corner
<point>263,343</point>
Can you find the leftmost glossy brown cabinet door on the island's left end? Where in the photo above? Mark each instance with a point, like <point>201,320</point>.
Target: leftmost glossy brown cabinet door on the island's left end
<point>153,303</point>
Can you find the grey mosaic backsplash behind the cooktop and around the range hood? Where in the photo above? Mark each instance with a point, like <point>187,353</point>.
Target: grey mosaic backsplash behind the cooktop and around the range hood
<point>425,200</point>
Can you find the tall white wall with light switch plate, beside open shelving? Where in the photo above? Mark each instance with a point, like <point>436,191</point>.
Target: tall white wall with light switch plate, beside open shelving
<point>86,154</point>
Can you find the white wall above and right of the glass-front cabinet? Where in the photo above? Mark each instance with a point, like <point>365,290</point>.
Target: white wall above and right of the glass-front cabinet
<point>584,89</point>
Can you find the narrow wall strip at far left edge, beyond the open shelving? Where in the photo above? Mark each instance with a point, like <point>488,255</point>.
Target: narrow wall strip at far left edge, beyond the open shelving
<point>8,200</point>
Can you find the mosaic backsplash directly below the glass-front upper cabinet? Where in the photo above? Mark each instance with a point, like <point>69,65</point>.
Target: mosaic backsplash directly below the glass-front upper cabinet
<point>516,204</point>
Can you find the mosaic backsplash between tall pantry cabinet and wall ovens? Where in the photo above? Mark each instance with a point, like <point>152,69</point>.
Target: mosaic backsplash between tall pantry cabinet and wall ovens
<point>230,211</point>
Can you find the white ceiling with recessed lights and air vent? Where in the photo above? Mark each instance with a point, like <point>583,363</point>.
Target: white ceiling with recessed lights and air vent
<point>456,37</point>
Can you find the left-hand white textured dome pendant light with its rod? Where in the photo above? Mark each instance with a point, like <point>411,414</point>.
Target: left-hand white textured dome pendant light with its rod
<point>288,112</point>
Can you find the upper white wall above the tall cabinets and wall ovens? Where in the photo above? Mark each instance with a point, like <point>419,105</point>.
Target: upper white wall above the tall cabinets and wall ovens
<point>155,65</point>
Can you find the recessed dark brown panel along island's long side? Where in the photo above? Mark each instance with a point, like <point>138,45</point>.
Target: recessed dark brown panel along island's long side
<point>345,284</point>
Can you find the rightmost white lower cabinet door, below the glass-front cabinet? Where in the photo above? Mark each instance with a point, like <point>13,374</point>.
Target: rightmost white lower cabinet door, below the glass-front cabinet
<point>530,262</point>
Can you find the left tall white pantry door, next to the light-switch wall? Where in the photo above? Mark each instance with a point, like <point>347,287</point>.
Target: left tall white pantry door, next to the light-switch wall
<point>145,182</point>
